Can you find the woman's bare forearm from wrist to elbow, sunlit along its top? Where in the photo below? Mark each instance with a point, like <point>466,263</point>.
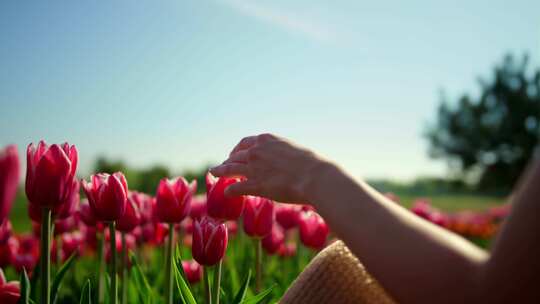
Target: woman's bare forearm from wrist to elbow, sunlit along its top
<point>416,261</point>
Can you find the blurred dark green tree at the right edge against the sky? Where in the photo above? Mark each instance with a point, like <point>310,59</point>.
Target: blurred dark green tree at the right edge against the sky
<point>494,135</point>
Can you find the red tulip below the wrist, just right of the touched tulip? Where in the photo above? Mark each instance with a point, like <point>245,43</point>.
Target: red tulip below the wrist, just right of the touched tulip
<point>258,216</point>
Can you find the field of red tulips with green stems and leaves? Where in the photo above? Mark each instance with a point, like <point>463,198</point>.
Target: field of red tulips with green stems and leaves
<point>93,240</point>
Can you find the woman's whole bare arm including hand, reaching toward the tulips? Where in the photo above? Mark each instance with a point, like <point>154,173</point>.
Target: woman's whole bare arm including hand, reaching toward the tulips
<point>417,262</point>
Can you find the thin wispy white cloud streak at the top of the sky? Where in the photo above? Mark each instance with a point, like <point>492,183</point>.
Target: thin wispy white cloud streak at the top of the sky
<point>285,20</point>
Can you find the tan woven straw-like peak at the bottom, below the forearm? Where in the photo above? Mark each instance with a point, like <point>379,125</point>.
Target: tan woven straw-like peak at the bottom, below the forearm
<point>335,276</point>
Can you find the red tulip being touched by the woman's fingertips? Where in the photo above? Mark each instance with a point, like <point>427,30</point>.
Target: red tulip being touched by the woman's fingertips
<point>218,205</point>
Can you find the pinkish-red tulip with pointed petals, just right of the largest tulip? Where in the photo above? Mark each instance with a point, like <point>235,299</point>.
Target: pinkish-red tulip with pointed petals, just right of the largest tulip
<point>107,195</point>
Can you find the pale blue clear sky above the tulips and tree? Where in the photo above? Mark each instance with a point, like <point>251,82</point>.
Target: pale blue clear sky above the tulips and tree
<point>180,82</point>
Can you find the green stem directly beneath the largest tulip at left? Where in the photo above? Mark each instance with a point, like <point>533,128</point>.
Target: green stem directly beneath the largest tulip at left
<point>45,256</point>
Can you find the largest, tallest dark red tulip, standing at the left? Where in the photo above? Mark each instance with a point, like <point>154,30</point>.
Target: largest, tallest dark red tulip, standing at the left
<point>50,173</point>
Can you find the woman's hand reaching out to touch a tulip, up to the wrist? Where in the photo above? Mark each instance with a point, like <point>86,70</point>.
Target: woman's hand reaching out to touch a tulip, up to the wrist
<point>273,167</point>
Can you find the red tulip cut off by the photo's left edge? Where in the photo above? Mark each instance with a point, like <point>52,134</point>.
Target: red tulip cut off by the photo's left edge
<point>9,179</point>
